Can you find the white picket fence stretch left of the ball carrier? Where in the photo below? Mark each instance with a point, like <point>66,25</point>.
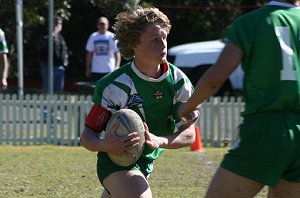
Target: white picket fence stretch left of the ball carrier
<point>24,121</point>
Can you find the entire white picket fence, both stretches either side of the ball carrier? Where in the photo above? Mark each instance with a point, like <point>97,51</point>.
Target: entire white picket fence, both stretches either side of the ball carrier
<point>23,121</point>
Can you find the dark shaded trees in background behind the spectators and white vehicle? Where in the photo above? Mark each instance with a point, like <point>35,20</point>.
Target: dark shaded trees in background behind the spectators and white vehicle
<point>192,20</point>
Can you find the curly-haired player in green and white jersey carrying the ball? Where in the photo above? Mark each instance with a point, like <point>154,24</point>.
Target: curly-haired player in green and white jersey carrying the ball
<point>148,85</point>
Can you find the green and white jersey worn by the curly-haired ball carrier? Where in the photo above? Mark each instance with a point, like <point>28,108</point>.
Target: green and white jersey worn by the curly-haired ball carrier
<point>155,100</point>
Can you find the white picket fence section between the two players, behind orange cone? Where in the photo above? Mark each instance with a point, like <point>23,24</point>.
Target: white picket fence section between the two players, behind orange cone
<point>219,120</point>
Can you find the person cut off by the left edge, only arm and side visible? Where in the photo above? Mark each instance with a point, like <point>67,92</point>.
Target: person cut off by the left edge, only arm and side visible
<point>4,65</point>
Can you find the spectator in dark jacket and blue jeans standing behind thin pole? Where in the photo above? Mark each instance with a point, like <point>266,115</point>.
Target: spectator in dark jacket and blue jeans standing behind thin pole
<point>60,58</point>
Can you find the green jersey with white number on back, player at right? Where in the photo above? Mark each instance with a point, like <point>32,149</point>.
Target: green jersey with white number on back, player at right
<point>270,40</point>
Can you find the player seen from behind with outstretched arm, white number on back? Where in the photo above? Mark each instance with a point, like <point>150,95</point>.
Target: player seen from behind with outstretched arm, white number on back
<point>267,43</point>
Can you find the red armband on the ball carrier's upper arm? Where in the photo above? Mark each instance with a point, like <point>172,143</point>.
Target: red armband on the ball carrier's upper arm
<point>97,118</point>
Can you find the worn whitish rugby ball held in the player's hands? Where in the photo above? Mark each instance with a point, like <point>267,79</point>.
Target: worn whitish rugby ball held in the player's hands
<point>128,121</point>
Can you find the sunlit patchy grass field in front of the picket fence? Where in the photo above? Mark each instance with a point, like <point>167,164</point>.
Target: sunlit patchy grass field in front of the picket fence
<point>65,172</point>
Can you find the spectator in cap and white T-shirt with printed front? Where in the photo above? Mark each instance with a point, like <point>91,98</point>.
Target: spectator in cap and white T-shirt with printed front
<point>102,55</point>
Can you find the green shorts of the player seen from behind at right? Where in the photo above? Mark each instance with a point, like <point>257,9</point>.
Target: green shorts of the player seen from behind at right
<point>269,148</point>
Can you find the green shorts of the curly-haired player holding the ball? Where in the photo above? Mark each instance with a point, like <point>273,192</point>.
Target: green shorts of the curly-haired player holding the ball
<point>105,166</point>
